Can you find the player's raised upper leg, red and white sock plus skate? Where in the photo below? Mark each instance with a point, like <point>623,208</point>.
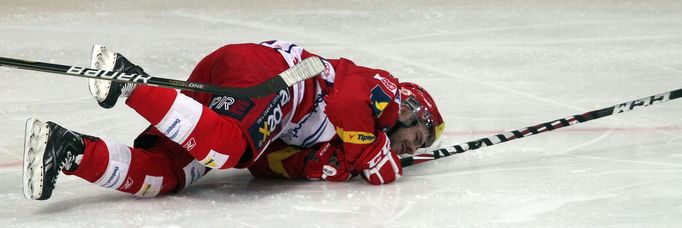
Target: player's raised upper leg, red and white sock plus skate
<point>215,141</point>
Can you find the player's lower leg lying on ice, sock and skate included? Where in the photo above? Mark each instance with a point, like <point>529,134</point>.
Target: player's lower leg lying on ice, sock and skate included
<point>51,148</point>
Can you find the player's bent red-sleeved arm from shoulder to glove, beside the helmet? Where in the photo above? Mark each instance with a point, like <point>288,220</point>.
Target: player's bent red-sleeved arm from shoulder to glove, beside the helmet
<point>361,109</point>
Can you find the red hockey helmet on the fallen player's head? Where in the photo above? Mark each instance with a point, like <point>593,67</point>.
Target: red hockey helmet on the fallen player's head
<point>415,99</point>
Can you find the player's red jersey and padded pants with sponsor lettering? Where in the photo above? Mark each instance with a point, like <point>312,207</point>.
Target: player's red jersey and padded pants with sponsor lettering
<point>353,102</point>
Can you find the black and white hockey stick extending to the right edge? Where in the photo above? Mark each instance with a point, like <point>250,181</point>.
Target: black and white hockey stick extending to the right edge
<point>540,128</point>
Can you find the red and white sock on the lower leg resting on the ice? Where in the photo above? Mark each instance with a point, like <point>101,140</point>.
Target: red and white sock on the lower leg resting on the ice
<point>144,173</point>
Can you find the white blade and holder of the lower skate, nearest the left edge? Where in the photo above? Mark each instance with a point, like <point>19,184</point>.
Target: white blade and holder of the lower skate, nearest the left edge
<point>35,139</point>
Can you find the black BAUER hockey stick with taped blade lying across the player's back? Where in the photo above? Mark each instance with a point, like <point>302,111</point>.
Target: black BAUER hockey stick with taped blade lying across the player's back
<point>307,68</point>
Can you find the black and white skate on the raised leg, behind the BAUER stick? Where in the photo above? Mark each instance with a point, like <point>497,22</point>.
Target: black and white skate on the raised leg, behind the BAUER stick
<point>107,92</point>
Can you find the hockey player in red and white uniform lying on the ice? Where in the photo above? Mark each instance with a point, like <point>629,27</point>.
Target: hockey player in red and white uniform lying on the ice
<point>347,121</point>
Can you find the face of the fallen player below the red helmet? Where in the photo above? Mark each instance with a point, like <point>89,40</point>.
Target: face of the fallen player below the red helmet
<point>408,140</point>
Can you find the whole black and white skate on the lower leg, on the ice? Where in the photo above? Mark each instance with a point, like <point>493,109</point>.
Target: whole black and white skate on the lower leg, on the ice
<point>48,148</point>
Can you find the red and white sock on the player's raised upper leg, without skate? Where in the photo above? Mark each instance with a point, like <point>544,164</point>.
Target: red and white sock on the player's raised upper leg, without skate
<point>215,141</point>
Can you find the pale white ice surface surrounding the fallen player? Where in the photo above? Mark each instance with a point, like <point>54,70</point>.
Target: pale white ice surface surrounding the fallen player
<point>492,66</point>
